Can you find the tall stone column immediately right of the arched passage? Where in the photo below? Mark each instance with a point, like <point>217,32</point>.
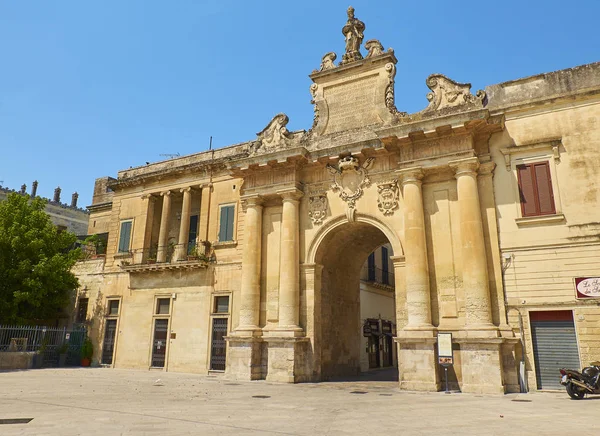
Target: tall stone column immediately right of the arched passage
<point>417,270</point>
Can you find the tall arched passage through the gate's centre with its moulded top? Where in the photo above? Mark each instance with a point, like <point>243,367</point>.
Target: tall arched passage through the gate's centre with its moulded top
<point>356,309</point>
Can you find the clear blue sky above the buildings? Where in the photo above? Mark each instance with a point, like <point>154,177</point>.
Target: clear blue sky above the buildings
<point>90,88</point>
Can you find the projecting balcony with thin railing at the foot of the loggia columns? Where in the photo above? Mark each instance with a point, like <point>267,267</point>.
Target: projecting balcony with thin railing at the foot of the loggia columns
<point>171,256</point>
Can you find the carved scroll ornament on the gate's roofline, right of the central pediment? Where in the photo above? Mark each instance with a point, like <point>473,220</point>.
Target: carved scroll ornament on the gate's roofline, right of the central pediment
<point>446,93</point>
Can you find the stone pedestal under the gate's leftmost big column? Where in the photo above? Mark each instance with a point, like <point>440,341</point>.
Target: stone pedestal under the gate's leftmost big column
<point>244,357</point>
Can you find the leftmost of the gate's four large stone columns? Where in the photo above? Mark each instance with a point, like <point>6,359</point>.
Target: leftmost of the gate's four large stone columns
<point>251,267</point>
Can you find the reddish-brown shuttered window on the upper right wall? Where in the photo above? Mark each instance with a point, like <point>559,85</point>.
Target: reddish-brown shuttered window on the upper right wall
<point>535,189</point>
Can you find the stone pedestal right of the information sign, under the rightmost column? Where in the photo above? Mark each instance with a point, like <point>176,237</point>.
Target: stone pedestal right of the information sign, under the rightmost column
<point>482,371</point>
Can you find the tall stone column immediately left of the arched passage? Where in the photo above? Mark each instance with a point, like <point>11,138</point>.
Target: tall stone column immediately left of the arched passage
<point>289,270</point>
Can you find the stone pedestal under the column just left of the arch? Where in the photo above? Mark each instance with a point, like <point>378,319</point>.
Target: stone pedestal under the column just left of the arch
<point>288,358</point>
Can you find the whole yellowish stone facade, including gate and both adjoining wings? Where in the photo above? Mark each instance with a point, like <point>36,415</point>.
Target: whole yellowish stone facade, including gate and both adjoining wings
<point>285,222</point>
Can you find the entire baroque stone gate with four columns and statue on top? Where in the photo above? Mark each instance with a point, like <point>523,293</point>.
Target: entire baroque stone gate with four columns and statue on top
<point>363,175</point>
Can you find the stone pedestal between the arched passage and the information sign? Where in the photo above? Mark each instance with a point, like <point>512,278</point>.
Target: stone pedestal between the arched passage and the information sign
<point>417,365</point>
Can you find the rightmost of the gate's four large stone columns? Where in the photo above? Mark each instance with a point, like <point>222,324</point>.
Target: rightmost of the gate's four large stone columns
<point>475,273</point>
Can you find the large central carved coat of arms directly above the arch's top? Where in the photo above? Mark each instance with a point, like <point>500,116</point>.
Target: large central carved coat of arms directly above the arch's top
<point>349,179</point>
